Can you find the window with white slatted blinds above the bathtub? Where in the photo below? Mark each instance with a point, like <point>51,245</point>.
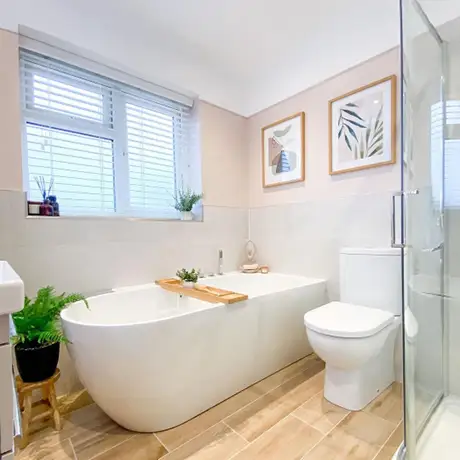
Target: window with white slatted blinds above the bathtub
<point>107,147</point>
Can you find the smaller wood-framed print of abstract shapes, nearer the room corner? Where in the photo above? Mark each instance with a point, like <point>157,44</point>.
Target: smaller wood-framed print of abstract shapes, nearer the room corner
<point>283,151</point>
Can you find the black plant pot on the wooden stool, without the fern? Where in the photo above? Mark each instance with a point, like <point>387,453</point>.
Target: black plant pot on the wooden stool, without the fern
<point>36,362</point>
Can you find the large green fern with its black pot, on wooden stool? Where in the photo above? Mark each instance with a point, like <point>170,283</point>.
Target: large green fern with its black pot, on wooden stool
<point>39,334</point>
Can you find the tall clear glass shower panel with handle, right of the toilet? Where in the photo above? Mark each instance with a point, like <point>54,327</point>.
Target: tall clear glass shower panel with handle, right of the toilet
<point>423,172</point>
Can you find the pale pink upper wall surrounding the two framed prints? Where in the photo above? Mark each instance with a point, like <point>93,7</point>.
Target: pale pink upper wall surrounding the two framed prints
<point>314,102</point>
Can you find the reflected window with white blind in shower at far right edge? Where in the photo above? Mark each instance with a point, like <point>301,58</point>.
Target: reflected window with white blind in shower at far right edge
<point>451,154</point>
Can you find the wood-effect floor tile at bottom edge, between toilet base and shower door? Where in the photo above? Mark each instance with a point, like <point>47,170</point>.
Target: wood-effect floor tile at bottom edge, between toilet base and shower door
<point>358,437</point>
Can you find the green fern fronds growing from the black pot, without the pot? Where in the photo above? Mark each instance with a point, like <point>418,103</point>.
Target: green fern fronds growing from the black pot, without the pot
<point>39,320</point>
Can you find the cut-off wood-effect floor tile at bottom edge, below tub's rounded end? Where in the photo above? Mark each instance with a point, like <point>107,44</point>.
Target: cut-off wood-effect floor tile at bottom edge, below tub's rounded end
<point>139,447</point>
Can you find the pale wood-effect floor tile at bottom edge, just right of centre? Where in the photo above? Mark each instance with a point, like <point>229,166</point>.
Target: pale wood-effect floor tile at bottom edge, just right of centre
<point>290,439</point>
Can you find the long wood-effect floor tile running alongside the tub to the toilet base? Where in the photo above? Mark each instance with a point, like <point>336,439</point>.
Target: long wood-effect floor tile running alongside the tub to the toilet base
<point>253,420</point>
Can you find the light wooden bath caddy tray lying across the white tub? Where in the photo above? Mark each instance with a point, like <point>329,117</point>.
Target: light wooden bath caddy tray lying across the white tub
<point>202,292</point>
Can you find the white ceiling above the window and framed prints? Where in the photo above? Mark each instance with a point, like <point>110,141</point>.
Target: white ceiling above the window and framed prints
<point>243,55</point>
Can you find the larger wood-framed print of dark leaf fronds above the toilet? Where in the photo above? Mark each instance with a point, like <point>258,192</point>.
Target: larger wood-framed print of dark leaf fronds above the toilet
<point>362,128</point>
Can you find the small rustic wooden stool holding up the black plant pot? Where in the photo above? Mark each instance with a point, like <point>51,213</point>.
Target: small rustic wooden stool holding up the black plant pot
<point>25,391</point>
